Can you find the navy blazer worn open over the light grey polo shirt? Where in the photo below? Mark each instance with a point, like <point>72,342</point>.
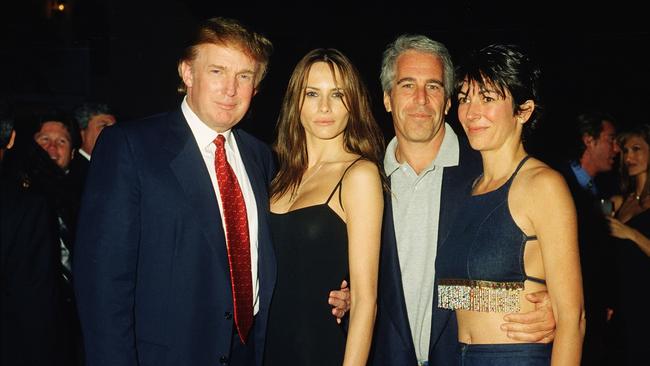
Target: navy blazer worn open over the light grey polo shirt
<point>393,344</point>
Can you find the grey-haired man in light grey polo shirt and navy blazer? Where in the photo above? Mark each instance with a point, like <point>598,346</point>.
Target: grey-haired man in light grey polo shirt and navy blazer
<point>428,167</point>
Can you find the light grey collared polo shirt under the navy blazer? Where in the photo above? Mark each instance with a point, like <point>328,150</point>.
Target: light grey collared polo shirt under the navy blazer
<point>416,209</point>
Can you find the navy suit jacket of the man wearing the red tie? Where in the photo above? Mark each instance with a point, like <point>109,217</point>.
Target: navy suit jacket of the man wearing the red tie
<point>151,270</point>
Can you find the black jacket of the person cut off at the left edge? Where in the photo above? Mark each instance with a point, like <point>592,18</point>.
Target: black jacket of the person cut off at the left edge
<point>30,303</point>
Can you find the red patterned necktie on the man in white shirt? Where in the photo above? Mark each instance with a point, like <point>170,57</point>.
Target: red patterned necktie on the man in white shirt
<point>237,240</point>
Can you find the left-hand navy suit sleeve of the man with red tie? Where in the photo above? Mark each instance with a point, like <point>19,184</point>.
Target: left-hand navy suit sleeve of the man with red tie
<point>106,252</point>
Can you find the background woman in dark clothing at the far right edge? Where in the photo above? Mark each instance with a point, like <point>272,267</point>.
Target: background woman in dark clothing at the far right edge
<point>630,225</point>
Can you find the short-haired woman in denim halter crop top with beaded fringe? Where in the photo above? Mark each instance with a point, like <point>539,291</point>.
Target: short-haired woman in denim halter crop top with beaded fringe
<point>516,233</point>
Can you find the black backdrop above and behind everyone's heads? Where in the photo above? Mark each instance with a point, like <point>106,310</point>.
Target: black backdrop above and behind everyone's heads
<point>125,52</point>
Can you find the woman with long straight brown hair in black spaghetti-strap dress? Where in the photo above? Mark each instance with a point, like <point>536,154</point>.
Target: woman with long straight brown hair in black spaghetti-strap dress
<point>326,204</point>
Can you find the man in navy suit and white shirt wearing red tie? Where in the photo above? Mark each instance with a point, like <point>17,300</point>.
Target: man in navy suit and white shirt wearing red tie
<point>153,282</point>
